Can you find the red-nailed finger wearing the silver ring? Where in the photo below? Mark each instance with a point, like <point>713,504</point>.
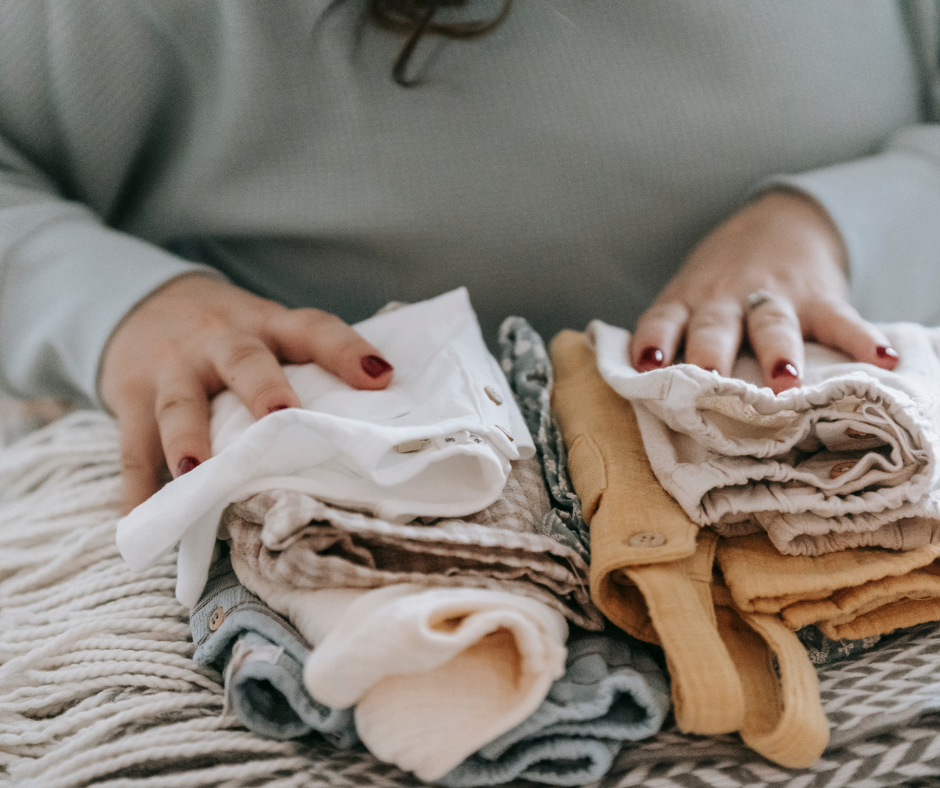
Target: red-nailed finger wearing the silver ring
<point>777,340</point>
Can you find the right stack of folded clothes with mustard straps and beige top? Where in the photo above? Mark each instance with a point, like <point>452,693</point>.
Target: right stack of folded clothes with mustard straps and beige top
<point>723,518</point>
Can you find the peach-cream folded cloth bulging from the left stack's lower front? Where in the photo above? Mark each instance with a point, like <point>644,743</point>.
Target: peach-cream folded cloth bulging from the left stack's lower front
<point>434,673</point>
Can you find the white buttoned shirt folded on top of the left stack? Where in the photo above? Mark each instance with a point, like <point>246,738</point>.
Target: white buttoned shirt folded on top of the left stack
<point>437,442</point>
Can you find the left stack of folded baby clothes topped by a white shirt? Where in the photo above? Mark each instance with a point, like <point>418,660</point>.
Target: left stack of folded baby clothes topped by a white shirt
<point>395,570</point>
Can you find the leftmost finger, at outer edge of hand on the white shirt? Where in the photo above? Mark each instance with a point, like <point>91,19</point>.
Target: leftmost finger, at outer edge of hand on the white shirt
<point>141,454</point>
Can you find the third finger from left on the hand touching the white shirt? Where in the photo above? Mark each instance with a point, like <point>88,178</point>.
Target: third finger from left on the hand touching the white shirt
<point>247,366</point>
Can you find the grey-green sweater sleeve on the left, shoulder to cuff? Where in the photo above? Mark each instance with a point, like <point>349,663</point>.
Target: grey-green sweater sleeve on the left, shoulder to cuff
<point>66,278</point>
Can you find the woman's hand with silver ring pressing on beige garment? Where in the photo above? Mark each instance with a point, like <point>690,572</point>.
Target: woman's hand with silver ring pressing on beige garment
<point>773,271</point>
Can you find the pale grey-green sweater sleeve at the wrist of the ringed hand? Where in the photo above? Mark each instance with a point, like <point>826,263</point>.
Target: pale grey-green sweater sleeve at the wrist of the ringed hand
<point>887,208</point>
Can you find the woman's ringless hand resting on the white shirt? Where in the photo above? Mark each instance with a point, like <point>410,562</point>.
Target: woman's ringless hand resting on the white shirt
<point>196,336</point>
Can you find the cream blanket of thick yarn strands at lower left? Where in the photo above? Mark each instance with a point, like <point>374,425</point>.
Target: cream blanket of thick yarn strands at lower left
<point>97,684</point>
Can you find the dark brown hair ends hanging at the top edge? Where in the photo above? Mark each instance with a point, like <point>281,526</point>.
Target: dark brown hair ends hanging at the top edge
<point>415,19</point>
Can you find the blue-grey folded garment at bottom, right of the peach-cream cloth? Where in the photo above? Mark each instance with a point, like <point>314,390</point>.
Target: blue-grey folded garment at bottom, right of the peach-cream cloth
<point>612,691</point>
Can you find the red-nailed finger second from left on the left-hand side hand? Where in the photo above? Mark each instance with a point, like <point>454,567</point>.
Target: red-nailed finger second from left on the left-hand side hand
<point>182,414</point>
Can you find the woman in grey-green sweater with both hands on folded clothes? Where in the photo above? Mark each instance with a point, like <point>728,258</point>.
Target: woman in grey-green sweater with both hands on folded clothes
<point>183,183</point>
